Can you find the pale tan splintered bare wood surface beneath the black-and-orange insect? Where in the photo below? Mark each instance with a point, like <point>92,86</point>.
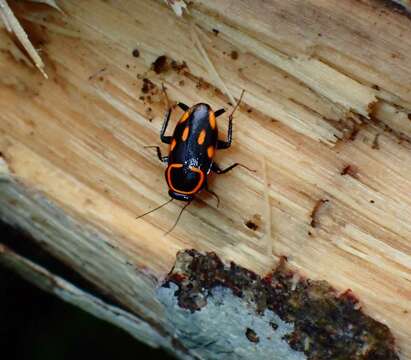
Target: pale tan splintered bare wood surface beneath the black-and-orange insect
<point>323,81</point>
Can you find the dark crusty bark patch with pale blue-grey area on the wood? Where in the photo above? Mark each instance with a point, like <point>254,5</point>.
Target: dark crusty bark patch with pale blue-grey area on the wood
<point>321,323</point>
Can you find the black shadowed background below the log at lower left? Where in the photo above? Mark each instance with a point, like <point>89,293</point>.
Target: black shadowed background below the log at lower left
<point>35,325</point>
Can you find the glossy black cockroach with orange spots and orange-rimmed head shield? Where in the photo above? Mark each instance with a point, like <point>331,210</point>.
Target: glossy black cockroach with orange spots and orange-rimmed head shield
<point>191,152</point>
